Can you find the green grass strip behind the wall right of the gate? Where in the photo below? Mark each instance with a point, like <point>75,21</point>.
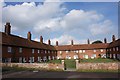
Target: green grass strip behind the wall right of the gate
<point>99,60</point>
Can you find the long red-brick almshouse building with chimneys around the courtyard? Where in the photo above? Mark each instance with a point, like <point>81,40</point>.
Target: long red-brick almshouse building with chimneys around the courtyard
<point>25,50</point>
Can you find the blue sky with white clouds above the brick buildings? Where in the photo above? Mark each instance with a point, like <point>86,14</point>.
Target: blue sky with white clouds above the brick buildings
<point>62,21</point>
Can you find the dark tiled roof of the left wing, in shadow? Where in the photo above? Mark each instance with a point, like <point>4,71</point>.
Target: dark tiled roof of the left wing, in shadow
<point>23,42</point>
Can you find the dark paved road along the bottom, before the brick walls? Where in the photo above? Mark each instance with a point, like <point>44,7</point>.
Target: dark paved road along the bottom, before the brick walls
<point>65,74</point>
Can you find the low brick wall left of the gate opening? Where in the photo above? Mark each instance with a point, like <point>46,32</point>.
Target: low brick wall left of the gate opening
<point>36,65</point>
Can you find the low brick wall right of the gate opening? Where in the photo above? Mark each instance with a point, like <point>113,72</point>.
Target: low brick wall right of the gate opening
<point>99,66</point>
